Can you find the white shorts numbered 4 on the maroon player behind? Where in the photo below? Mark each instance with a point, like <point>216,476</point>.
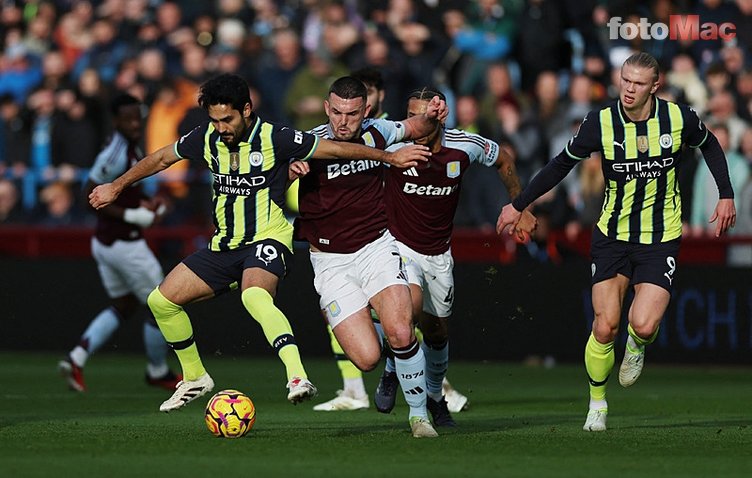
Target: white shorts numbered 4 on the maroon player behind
<point>433,274</point>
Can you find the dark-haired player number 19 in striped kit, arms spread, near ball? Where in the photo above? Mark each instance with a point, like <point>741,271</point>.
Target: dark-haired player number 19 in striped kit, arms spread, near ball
<point>252,242</point>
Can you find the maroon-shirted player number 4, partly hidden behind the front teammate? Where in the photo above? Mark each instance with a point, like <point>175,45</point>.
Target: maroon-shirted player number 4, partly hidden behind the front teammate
<point>421,203</point>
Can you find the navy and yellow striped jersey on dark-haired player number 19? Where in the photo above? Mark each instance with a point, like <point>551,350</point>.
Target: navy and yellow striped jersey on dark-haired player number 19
<point>248,180</point>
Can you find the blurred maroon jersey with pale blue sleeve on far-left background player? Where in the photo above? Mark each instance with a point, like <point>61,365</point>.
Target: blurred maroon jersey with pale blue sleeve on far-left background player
<point>115,159</point>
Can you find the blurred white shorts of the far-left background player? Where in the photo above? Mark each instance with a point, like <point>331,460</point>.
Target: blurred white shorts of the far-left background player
<point>127,267</point>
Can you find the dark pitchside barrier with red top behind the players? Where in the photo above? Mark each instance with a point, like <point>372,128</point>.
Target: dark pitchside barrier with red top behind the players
<point>506,308</point>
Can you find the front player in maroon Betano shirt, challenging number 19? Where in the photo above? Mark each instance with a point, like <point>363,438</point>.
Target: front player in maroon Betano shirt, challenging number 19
<point>355,259</point>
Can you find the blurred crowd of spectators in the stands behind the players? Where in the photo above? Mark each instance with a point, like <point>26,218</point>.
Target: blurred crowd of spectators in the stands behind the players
<point>521,72</point>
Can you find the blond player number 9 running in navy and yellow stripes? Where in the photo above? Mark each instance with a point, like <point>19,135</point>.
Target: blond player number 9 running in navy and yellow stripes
<point>636,240</point>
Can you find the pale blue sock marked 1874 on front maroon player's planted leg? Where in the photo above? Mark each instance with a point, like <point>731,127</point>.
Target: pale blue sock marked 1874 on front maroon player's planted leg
<point>410,364</point>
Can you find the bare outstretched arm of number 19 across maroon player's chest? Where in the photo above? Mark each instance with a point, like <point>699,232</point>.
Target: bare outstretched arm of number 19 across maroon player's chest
<point>406,157</point>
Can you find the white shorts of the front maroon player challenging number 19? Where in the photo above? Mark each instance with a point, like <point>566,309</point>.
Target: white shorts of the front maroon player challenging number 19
<point>346,282</point>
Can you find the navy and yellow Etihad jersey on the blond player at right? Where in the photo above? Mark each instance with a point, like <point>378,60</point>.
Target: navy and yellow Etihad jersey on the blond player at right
<point>639,159</point>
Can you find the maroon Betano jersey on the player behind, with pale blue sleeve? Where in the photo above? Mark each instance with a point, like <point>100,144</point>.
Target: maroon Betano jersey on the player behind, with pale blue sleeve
<point>421,201</point>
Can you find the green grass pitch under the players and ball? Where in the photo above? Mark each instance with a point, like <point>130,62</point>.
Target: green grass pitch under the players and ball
<point>523,421</point>
